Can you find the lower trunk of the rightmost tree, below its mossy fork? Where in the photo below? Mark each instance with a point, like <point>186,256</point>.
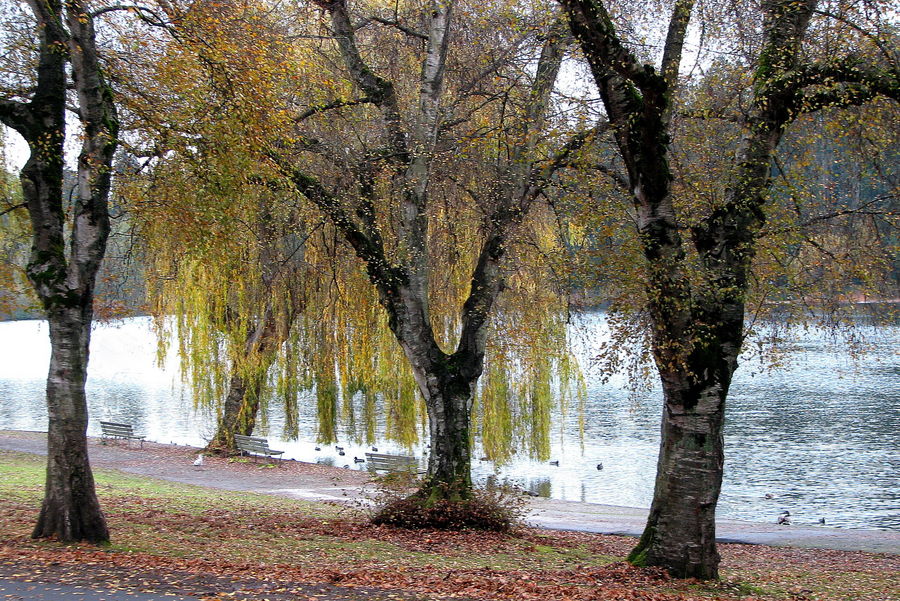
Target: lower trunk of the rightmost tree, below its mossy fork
<point>680,534</point>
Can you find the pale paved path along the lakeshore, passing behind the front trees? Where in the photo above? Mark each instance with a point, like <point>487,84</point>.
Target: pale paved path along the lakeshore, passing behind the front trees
<point>315,482</point>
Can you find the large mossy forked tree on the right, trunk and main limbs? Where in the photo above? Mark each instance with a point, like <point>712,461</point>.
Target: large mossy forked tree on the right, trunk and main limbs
<point>697,315</point>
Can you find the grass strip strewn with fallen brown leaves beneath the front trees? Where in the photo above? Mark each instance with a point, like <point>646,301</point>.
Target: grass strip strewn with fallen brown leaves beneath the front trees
<point>156,522</point>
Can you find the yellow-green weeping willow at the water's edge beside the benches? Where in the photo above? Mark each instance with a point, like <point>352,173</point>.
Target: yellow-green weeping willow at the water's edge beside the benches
<point>234,259</point>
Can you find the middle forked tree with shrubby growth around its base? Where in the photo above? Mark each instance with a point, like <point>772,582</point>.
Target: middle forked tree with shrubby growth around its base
<point>405,159</point>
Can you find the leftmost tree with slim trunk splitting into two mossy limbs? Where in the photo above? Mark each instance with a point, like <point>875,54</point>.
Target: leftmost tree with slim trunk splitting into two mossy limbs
<point>67,247</point>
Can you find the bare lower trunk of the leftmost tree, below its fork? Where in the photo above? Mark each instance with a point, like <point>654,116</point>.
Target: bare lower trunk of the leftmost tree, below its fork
<point>70,509</point>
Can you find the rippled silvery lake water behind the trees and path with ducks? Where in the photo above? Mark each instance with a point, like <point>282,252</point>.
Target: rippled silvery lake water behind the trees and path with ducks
<point>821,434</point>
